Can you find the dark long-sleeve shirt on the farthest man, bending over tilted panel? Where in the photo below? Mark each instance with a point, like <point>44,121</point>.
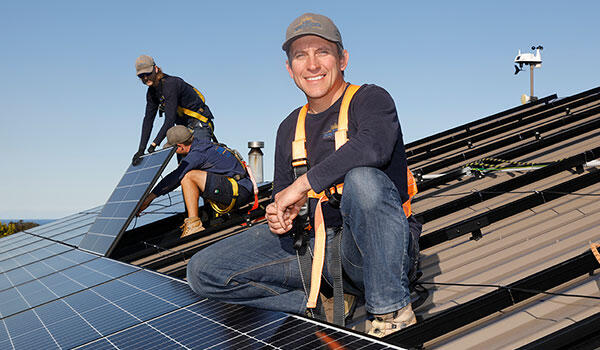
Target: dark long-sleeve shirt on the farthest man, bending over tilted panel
<point>171,92</point>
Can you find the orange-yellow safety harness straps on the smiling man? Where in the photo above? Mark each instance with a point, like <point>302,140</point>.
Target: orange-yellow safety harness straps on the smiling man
<point>300,161</point>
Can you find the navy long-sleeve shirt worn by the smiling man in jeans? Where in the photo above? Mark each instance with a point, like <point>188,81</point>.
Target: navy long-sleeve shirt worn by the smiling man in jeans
<point>375,140</point>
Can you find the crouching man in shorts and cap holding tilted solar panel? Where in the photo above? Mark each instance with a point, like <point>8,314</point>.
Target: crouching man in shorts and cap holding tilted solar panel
<point>208,170</point>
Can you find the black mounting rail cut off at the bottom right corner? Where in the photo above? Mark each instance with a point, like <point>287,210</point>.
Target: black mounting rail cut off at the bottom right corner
<point>584,334</point>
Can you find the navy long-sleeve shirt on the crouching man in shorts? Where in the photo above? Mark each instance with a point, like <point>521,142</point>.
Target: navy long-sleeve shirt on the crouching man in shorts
<point>207,156</point>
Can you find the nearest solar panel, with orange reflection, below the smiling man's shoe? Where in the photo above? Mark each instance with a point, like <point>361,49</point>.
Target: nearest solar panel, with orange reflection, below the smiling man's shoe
<point>213,325</point>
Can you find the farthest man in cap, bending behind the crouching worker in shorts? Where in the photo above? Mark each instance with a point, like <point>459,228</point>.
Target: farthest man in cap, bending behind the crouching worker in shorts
<point>180,103</point>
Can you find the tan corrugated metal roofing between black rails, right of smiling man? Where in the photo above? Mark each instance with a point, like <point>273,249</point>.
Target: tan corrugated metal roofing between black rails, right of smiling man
<point>518,246</point>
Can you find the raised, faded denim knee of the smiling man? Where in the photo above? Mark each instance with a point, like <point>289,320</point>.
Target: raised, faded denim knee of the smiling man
<point>366,186</point>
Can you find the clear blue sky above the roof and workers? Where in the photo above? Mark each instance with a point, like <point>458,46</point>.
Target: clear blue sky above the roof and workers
<point>72,106</point>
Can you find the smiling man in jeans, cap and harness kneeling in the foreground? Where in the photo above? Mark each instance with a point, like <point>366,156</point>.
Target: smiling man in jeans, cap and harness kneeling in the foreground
<point>346,139</point>
